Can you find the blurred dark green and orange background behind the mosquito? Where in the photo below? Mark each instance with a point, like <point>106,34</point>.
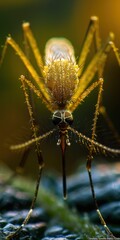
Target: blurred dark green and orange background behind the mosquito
<point>52,18</point>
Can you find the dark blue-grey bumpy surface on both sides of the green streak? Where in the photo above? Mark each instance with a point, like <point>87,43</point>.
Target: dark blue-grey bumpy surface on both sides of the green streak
<point>14,206</point>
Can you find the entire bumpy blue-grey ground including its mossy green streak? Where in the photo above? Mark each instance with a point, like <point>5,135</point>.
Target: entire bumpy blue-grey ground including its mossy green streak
<point>53,218</point>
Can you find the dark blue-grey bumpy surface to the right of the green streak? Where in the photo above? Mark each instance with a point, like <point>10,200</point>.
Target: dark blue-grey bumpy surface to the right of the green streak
<point>107,189</point>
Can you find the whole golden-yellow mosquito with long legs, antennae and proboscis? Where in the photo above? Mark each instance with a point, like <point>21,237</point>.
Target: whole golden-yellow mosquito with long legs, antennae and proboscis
<point>62,85</point>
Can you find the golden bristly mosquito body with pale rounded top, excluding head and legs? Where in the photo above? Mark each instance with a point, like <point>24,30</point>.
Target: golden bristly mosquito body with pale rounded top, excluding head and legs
<point>61,70</point>
